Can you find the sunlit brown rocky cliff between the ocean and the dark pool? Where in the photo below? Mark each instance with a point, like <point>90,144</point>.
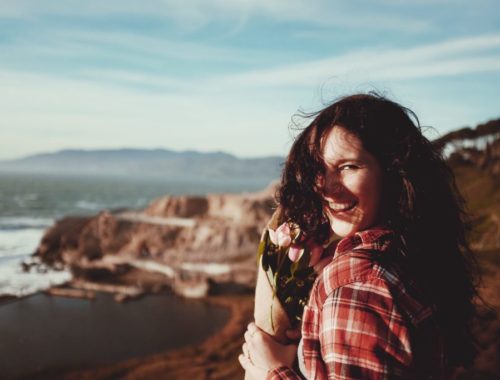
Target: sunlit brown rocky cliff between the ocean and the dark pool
<point>193,240</point>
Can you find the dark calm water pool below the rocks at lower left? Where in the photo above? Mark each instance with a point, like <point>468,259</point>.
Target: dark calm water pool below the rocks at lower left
<point>41,332</point>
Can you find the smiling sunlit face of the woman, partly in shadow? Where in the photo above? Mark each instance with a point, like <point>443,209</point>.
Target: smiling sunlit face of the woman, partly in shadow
<point>351,185</point>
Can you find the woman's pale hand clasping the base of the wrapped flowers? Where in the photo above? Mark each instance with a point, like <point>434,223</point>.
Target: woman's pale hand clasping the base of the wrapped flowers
<point>261,353</point>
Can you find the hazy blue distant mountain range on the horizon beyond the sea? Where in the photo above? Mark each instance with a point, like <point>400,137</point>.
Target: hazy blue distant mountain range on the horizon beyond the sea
<point>156,163</point>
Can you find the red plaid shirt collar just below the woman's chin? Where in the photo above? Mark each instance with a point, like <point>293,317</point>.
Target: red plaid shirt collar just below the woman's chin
<point>377,239</point>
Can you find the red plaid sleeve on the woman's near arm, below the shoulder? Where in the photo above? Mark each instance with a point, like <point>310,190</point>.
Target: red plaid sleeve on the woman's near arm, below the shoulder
<point>362,333</point>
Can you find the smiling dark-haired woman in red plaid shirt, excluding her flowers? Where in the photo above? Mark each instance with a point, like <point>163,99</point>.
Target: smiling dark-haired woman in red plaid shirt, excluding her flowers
<point>396,298</point>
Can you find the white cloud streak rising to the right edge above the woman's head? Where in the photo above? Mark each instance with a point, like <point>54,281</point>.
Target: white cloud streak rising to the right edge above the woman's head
<point>459,56</point>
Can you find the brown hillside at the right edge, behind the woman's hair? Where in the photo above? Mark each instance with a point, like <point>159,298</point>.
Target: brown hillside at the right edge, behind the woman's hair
<point>474,155</point>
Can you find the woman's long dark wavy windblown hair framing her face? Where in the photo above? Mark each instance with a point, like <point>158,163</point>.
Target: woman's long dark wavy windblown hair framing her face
<point>420,201</point>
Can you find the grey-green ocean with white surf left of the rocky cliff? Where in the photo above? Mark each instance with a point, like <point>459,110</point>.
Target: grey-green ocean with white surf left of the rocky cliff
<point>31,203</point>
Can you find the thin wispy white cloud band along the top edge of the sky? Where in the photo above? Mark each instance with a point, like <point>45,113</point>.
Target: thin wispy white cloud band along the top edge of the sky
<point>195,14</point>
